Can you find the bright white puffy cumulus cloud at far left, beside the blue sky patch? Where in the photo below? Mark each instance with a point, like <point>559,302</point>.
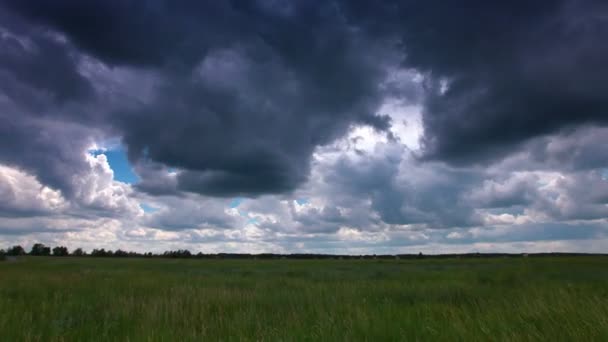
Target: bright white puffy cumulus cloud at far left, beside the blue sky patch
<point>96,195</point>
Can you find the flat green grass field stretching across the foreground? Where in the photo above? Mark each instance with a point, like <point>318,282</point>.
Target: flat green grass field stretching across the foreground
<point>517,299</point>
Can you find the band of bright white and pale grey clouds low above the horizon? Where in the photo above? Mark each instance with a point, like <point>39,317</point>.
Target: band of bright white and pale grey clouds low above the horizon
<point>366,194</point>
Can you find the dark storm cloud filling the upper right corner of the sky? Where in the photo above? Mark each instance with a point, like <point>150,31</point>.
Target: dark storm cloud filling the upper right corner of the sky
<point>499,73</point>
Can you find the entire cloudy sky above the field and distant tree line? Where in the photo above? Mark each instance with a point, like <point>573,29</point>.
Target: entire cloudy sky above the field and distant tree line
<point>288,126</point>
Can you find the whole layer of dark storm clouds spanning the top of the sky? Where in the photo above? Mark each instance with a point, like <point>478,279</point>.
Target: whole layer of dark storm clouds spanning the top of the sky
<point>243,92</point>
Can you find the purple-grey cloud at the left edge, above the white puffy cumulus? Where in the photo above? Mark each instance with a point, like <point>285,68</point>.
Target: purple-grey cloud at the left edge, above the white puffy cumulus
<point>38,81</point>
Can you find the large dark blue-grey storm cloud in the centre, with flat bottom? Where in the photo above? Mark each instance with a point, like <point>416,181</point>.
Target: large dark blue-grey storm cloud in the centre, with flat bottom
<point>246,90</point>
